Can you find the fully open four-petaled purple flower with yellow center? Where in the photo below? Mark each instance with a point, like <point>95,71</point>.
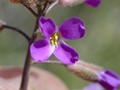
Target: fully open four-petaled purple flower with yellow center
<point>71,29</point>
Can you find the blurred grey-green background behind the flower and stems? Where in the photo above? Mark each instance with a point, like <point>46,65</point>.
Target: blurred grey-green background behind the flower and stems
<point>101,44</point>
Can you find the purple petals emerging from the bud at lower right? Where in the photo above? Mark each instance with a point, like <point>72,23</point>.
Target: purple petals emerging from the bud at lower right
<point>109,80</point>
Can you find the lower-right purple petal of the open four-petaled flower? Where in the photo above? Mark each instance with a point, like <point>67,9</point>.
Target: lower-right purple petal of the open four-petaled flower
<point>66,54</point>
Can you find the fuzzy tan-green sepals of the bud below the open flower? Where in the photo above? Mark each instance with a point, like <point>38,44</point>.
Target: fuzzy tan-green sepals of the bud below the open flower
<point>83,71</point>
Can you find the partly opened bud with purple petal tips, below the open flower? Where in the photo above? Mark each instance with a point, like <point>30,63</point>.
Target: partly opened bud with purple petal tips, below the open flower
<point>106,78</point>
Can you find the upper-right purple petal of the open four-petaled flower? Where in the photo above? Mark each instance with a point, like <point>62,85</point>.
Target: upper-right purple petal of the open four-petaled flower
<point>72,28</point>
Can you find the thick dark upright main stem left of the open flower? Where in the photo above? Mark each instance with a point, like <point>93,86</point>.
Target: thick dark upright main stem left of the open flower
<point>28,61</point>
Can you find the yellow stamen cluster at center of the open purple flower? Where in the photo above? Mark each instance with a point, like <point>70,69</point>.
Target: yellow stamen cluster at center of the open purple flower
<point>54,39</point>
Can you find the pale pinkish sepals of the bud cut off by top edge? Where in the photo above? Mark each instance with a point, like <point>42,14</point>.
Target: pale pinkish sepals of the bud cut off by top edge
<point>70,2</point>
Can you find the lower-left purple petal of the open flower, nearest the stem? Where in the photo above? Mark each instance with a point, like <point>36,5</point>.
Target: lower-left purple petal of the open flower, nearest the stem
<point>41,50</point>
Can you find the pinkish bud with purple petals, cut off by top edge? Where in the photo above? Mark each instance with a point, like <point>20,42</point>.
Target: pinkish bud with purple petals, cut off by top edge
<point>92,3</point>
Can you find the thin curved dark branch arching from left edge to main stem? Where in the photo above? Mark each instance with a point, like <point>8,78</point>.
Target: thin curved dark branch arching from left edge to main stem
<point>18,30</point>
